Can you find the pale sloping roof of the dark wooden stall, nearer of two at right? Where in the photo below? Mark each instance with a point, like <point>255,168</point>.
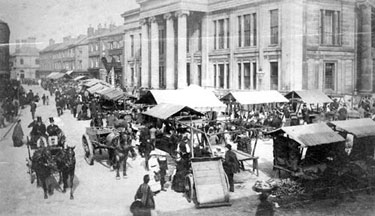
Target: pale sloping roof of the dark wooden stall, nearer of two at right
<point>311,134</point>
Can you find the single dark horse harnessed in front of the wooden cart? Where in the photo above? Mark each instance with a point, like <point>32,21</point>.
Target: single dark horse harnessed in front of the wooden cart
<point>122,147</point>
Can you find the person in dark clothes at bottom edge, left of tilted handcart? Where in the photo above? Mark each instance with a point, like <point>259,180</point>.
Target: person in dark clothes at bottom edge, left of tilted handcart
<point>146,198</point>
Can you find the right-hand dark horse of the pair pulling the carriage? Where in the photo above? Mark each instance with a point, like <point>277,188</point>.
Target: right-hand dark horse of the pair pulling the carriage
<point>66,162</point>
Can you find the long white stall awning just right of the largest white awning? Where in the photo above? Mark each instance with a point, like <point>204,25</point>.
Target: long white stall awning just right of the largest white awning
<point>255,97</point>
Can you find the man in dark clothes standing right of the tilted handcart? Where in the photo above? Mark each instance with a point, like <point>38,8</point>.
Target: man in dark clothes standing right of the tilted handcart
<point>231,166</point>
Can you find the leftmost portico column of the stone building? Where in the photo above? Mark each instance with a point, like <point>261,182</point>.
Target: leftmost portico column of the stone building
<point>145,54</point>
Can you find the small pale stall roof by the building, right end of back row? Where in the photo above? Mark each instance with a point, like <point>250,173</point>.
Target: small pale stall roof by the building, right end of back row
<point>309,96</point>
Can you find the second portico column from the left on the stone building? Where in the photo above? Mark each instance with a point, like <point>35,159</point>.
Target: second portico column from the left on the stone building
<point>154,53</point>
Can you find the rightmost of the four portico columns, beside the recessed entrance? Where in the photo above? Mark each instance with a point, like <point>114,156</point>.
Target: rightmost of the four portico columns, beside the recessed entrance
<point>181,61</point>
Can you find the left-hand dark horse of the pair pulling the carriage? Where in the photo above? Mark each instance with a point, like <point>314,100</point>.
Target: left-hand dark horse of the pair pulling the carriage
<point>44,166</point>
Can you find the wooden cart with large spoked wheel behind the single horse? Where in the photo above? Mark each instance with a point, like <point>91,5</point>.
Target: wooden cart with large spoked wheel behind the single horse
<point>94,139</point>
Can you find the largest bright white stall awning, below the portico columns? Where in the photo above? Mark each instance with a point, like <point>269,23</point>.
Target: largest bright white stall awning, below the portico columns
<point>194,96</point>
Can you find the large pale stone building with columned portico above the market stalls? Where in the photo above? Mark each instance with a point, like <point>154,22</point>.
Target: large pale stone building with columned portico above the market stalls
<point>250,44</point>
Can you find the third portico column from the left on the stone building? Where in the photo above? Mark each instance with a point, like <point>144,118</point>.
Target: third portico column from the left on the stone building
<point>170,52</point>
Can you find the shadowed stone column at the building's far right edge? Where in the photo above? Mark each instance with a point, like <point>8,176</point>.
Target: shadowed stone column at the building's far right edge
<point>365,49</point>
